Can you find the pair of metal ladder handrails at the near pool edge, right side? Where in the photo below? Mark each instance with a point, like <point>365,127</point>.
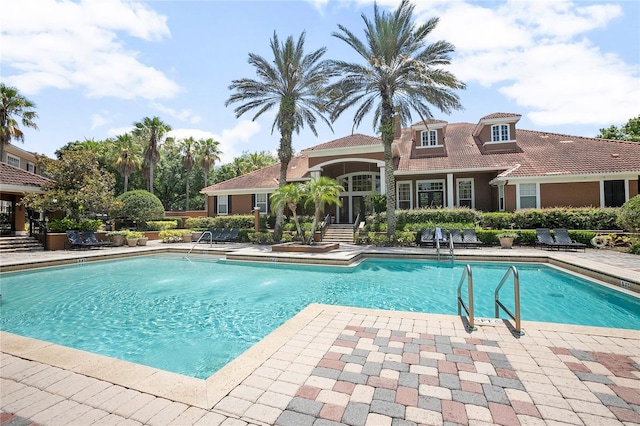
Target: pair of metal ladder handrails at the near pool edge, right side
<point>468,307</point>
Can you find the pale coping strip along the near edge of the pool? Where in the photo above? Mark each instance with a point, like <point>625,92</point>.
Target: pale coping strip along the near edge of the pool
<point>206,393</point>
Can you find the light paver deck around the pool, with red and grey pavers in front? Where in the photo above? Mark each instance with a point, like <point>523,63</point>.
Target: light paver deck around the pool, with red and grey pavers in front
<point>332,365</point>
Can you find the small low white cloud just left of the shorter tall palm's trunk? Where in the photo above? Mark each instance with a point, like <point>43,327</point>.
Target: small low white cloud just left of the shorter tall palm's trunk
<point>230,139</point>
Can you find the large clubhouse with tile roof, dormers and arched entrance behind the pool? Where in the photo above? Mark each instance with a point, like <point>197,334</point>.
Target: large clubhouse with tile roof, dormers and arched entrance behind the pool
<point>489,166</point>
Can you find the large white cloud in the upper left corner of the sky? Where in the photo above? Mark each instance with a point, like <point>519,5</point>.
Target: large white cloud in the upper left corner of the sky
<point>62,44</point>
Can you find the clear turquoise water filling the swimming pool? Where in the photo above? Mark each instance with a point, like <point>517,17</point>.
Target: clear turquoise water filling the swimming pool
<point>193,317</point>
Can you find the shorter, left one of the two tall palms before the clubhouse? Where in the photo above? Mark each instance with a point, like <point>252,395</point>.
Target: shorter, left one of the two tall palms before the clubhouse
<point>295,84</point>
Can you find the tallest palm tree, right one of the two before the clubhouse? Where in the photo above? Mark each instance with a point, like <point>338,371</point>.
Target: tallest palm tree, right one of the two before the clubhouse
<point>400,73</point>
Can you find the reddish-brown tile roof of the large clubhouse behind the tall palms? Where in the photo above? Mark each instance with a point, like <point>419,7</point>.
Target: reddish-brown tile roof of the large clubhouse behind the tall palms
<point>539,154</point>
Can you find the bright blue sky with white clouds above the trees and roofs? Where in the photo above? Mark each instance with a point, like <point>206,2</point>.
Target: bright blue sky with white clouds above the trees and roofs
<point>95,67</point>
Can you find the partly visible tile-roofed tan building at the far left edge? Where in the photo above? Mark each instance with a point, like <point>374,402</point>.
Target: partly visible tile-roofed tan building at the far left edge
<point>18,176</point>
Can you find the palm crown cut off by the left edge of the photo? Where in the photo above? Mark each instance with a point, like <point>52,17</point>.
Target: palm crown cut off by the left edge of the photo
<point>15,109</point>
